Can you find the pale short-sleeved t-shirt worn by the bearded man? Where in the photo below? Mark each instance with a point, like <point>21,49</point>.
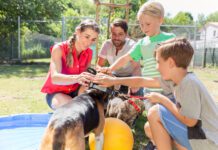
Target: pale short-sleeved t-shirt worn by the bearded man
<point>108,52</point>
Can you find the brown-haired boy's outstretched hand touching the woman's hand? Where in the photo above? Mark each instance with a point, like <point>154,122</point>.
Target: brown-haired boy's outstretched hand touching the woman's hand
<point>104,80</point>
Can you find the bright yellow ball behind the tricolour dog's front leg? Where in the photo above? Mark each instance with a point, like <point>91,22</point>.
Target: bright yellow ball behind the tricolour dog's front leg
<point>117,136</point>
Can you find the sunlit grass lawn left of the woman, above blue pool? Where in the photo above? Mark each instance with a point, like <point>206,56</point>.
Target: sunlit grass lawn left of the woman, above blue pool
<point>20,89</point>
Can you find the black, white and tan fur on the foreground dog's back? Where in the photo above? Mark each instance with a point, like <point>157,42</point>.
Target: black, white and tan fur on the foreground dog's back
<point>73,120</point>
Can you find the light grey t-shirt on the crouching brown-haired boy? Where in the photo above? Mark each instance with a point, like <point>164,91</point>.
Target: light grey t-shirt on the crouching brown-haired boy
<point>196,103</point>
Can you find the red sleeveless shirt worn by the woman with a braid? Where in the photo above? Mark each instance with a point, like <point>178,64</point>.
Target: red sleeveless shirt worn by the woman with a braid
<point>79,65</point>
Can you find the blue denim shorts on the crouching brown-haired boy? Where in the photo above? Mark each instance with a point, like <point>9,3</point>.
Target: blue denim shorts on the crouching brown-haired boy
<point>177,130</point>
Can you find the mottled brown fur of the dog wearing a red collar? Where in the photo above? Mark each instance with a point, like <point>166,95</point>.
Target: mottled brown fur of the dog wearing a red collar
<point>119,107</point>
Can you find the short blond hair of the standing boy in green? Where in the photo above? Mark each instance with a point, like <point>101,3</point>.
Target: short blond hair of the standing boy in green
<point>151,8</point>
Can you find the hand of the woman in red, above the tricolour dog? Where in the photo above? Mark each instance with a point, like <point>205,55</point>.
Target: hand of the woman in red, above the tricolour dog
<point>85,78</point>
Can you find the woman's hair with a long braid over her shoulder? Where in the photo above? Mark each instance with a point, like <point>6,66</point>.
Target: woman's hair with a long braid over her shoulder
<point>86,24</point>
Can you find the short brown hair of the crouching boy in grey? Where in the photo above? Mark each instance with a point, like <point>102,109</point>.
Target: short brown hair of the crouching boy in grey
<point>179,49</point>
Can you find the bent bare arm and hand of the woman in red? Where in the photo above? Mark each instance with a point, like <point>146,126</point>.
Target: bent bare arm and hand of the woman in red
<point>62,79</point>
